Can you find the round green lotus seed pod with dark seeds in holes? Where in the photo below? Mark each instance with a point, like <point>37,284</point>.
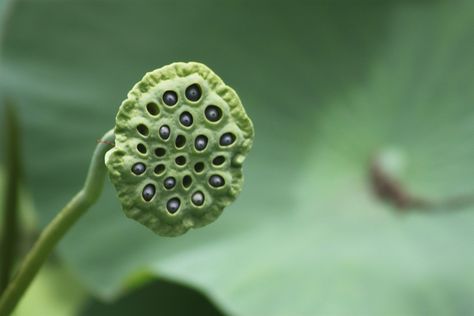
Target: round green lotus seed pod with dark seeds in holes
<point>181,137</point>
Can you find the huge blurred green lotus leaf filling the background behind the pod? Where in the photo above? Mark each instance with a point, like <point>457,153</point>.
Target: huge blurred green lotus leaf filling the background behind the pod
<point>328,86</point>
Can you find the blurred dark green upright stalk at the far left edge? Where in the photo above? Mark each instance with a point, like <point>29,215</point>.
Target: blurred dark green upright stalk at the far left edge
<point>9,238</point>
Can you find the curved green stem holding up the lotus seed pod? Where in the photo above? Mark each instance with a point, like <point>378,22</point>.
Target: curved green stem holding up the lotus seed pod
<point>58,227</point>
